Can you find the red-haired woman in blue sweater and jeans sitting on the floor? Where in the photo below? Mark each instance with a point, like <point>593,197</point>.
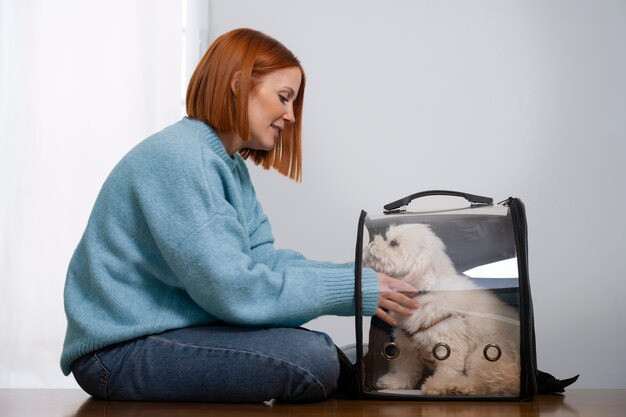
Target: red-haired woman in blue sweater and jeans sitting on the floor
<point>175,291</point>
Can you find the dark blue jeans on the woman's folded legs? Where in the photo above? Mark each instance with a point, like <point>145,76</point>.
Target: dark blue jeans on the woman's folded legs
<point>214,364</point>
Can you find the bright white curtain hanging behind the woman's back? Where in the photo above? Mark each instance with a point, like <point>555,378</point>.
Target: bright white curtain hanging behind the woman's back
<point>80,83</point>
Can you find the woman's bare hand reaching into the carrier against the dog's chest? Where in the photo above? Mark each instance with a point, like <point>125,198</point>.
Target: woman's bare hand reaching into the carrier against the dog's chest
<point>392,298</point>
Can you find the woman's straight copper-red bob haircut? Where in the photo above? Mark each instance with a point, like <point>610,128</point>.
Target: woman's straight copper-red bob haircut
<point>211,99</point>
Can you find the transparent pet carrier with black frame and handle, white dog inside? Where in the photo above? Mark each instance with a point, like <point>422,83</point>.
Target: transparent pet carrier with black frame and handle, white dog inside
<point>472,336</point>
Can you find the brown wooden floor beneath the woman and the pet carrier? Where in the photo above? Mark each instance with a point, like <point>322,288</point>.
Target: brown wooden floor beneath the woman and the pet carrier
<point>67,403</point>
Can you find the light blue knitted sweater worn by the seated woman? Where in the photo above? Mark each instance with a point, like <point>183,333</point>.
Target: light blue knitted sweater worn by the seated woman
<point>177,238</point>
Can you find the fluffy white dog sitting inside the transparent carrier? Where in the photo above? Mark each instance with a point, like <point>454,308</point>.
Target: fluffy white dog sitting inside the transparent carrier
<point>453,311</point>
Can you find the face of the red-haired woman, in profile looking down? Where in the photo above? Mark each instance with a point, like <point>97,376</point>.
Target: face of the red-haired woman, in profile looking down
<point>270,107</point>
